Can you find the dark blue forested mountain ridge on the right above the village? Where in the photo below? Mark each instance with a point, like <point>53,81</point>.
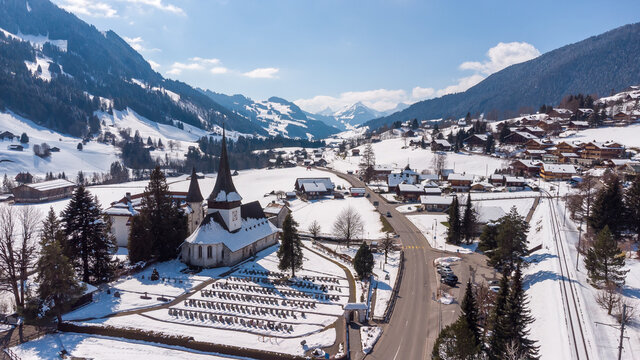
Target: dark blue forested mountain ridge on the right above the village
<point>593,66</point>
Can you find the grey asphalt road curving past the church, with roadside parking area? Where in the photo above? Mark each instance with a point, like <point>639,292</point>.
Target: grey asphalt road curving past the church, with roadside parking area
<point>417,317</point>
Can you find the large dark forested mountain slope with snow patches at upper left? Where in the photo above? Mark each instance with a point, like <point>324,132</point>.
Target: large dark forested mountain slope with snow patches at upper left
<point>58,71</point>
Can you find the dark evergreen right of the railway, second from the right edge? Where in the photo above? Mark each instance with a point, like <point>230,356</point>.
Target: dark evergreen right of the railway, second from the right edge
<point>608,208</point>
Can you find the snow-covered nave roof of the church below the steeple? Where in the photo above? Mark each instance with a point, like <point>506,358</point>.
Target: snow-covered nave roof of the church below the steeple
<point>212,232</point>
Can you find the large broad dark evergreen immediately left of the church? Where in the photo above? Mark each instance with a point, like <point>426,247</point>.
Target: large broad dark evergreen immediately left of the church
<point>162,221</point>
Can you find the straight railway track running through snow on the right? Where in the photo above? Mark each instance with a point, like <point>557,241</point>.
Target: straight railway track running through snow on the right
<point>568,290</point>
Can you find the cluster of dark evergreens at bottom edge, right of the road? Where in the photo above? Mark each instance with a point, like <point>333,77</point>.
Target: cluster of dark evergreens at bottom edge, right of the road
<point>508,323</point>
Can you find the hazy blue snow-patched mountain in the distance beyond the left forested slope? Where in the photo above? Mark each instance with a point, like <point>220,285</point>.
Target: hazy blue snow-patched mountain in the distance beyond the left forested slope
<point>278,116</point>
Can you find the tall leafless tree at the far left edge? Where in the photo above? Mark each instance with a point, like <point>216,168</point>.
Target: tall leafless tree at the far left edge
<point>17,249</point>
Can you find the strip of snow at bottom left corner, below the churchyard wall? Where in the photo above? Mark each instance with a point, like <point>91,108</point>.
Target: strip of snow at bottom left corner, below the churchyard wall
<point>105,348</point>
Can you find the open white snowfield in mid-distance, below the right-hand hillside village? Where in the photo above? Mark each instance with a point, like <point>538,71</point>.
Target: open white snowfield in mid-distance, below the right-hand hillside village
<point>393,152</point>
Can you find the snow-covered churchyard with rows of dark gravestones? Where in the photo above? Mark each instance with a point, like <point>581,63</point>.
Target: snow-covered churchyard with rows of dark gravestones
<point>252,307</point>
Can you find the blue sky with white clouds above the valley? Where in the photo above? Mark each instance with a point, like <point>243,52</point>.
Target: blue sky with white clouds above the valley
<point>333,53</point>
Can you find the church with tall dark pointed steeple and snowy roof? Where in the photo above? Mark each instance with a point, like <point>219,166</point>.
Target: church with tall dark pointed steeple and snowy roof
<point>231,231</point>
